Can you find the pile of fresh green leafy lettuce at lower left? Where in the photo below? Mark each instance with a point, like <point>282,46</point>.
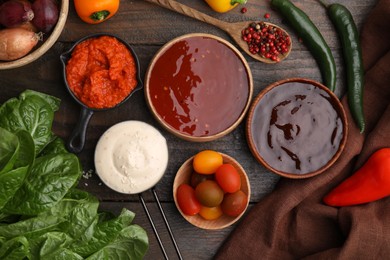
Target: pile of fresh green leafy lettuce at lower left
<point>42,214</point>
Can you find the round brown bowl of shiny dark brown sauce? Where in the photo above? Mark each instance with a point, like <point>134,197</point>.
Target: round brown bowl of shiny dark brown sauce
<point>297,128</point>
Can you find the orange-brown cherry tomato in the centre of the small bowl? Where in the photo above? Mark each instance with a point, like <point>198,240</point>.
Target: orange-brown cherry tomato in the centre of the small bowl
<point>209,193</point>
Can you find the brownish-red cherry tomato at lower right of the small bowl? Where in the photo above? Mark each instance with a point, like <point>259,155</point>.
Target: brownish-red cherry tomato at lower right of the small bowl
<point>234,204</point>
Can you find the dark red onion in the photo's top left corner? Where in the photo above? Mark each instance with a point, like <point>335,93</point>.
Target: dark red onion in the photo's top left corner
<point>15,12</point>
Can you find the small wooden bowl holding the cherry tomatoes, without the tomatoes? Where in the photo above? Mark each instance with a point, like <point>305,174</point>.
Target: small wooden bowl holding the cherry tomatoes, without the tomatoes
<point>183,175</point>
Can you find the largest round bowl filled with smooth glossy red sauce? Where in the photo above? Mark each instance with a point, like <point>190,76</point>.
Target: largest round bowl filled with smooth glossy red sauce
<point>198,87</point>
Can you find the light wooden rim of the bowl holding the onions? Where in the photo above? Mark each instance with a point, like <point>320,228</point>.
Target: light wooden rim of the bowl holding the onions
<point>44,46</point>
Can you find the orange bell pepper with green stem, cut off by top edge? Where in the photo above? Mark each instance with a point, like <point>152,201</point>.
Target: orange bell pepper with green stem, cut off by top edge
<point>96,11</point>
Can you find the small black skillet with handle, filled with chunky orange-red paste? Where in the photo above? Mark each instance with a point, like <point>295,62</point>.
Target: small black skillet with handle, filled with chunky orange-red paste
<point>101,72</point>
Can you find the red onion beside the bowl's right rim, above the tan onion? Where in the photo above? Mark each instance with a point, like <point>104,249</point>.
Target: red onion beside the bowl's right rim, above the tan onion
<point>46,14</point>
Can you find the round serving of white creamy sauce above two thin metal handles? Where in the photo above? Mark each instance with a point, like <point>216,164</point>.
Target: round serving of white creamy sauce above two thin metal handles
<point>131,157</point>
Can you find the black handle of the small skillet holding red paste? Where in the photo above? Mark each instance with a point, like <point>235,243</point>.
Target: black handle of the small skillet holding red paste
<point>77,139</point>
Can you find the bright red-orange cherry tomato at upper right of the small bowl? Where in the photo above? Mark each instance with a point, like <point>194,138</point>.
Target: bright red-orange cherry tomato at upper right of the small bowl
<point>228,178</point>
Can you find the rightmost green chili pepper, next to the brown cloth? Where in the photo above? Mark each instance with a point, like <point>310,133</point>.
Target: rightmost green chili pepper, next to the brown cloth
<point>346,29</point>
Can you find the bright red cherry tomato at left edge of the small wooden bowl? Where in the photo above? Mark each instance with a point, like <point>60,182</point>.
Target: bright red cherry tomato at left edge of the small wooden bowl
<point>187,201</point>
